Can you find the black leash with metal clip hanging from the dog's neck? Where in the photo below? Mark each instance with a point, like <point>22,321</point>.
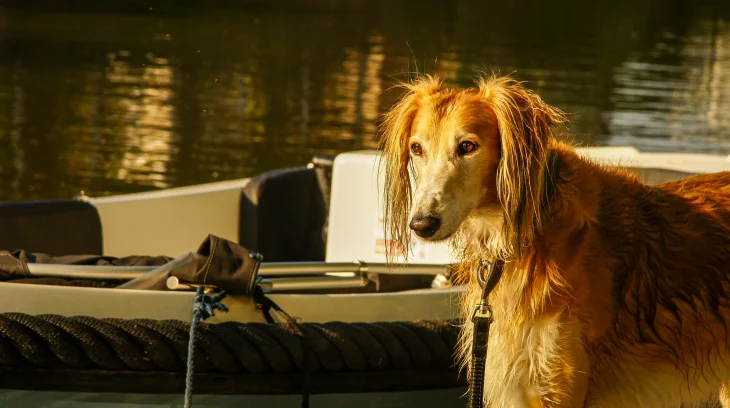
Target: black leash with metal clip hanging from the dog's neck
<point>482,317</point>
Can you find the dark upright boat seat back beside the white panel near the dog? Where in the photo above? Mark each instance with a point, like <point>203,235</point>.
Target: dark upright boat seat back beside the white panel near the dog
<point>284,214</point>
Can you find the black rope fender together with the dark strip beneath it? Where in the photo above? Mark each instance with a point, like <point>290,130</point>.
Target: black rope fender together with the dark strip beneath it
<point>37,351</point>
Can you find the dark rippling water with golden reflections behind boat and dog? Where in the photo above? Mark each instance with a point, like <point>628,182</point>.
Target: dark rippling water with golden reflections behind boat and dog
<point>153,95</point>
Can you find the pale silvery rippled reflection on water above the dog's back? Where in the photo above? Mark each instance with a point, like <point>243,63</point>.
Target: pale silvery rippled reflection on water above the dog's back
<point>675,96</point>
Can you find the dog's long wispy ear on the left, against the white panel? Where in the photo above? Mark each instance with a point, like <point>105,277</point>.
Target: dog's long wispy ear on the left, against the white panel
<point>395,130</point>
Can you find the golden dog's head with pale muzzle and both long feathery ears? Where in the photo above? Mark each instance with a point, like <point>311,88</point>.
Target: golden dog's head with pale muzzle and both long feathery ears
<point>476,156</point>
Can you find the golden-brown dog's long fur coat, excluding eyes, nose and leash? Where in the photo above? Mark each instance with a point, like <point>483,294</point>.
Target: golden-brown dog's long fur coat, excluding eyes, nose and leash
<point>615,293</point>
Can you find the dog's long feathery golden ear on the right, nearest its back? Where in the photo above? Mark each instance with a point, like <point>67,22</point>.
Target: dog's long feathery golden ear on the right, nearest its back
<point>525,124</point>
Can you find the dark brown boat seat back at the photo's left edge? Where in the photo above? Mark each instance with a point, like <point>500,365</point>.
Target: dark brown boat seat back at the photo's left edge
<point>53,227</point>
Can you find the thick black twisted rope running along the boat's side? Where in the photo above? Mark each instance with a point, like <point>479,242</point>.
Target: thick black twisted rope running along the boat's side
<point>86,343</point>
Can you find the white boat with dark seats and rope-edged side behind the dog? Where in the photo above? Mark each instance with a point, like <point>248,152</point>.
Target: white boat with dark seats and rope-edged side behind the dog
<point>319,229</point>
